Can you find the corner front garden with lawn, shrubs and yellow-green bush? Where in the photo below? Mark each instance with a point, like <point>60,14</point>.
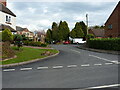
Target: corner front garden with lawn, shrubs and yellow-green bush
<point>21,52</point>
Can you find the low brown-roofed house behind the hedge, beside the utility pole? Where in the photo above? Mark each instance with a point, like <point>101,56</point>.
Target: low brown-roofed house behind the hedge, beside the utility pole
<point>98,32</point>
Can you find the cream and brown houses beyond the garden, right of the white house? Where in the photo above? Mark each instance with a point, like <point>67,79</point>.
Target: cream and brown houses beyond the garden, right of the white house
<point>27,33</point>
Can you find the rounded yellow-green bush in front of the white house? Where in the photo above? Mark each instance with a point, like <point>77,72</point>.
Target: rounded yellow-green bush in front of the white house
<point>7,35</point>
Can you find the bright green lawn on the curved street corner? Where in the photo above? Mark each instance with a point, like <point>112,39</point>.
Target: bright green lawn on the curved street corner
<point>27,54</point>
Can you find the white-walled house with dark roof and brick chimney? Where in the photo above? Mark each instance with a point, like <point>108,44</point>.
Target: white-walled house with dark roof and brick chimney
<point>7,18</point>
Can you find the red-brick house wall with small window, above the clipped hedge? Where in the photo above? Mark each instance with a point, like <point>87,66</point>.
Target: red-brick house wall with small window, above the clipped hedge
<point>112,25</point>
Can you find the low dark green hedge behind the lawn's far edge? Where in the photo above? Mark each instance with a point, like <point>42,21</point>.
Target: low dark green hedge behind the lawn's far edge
<point>31,43</point>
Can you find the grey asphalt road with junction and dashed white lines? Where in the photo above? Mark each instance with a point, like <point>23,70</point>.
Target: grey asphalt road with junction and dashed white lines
<point>72,68</point>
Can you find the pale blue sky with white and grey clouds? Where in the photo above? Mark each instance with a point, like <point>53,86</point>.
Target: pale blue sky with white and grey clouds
<point>40,15</point>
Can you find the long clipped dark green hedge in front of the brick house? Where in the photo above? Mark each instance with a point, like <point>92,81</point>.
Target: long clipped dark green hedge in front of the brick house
<point>105,43</point>
